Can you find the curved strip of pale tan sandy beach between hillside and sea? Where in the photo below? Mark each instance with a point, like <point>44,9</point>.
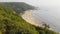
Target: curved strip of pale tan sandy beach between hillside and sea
<point>28,17</point>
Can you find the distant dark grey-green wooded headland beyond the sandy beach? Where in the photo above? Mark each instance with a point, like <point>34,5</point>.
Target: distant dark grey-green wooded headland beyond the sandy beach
<point>19,7</point>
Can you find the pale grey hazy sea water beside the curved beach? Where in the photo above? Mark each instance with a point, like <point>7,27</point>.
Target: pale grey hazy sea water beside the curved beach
<point>48,15</point>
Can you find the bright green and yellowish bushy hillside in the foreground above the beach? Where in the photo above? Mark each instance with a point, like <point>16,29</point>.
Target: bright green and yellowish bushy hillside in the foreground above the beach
<point>12,23</point>
